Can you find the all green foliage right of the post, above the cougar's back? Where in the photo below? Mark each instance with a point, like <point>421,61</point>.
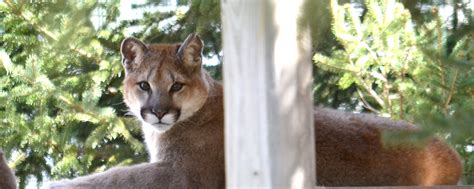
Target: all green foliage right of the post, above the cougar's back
<point>407,71</point>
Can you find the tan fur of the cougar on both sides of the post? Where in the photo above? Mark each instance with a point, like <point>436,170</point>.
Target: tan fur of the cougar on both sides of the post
<point>190,152</point>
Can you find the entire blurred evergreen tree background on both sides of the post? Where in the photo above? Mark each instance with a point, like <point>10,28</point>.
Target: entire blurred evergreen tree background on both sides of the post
<point>61,108</point>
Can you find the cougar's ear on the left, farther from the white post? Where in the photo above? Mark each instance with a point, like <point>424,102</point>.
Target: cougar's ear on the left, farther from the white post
<point>132,51</point>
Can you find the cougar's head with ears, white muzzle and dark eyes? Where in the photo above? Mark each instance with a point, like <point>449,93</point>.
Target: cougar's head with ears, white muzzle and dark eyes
<point>164,83</point>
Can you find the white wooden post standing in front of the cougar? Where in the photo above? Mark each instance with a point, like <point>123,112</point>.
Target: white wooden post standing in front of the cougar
<point>268,103</point>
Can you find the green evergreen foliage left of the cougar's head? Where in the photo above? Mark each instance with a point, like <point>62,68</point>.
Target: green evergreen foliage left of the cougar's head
<point>61,110</point>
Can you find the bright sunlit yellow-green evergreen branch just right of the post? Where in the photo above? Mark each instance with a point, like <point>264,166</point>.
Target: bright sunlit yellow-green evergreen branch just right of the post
<point>379,51</point>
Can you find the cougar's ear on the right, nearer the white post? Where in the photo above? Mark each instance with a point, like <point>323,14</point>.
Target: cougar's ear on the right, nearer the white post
<point>190,52</point>
